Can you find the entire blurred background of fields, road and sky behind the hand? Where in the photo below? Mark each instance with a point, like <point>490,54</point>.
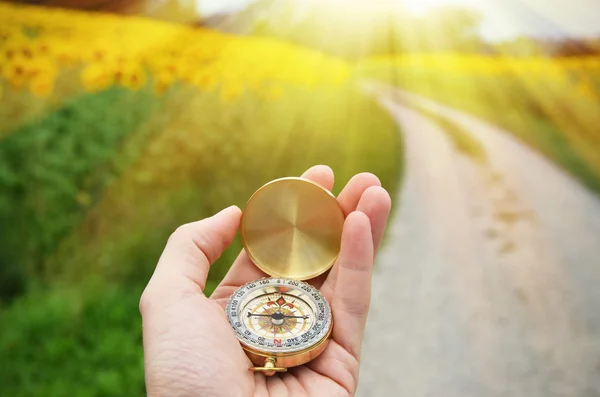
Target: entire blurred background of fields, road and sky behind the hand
<point>120,120</point>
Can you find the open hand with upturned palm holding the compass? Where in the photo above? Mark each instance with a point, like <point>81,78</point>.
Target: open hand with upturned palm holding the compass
<point>191,350</point>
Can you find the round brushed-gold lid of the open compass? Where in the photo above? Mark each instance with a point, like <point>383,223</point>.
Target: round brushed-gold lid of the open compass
<point>292,228</point>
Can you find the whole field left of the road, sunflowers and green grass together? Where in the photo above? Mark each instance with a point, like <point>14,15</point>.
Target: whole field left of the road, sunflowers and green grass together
<point>114,131</point>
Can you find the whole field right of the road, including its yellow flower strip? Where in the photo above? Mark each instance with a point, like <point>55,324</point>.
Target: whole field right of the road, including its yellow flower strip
<point>552,104</point>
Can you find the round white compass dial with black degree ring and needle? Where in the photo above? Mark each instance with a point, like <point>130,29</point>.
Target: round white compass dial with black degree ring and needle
<point>278,315</point>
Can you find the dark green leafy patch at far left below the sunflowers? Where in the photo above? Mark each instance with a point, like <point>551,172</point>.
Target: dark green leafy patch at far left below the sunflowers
<point>52,169</point>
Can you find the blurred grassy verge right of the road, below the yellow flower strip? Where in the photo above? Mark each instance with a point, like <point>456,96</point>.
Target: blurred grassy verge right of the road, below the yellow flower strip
<point>551,117</point>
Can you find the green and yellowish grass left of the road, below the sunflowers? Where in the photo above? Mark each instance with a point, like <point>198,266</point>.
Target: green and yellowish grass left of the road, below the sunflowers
<point>93,190</point>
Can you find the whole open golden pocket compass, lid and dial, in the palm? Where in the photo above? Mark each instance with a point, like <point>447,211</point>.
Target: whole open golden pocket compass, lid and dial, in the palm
<point>291,229</point>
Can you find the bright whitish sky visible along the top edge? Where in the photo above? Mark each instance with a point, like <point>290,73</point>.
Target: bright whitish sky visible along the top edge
<point>502,19</point>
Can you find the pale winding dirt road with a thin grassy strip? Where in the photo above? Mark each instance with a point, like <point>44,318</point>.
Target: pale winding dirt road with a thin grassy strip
<point>489,283</point>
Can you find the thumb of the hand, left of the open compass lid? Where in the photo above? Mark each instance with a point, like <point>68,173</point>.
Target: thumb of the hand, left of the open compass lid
<point>192,248</point>
